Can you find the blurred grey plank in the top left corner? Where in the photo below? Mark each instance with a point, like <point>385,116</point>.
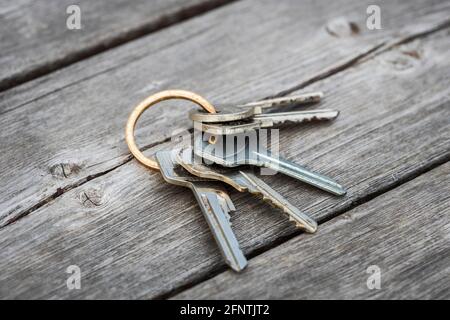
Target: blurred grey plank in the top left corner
<point>34,38</point>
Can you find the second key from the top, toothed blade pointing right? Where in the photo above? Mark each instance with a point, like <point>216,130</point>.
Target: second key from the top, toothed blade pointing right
<point>267,120</point>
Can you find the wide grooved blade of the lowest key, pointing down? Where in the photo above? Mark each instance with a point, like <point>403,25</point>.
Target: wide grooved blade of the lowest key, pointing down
<point>218,220</point>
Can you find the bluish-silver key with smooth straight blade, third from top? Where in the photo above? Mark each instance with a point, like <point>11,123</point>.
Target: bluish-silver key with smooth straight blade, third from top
<point>248,153</point>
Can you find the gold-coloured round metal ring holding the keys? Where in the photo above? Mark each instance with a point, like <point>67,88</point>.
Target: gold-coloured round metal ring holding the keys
<point>147,103</point>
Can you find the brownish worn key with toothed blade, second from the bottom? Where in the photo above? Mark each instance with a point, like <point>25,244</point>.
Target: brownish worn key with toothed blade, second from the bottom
<point>244,180</point>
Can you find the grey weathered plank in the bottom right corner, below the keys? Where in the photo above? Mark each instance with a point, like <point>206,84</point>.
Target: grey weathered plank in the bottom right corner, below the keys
<point>404,232</point>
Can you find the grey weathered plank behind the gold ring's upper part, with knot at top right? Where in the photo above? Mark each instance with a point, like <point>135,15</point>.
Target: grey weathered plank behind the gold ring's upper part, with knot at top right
<point>61,130</point>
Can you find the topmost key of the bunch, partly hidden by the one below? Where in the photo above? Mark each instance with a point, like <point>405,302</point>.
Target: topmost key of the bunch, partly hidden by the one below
<point>248,110</point>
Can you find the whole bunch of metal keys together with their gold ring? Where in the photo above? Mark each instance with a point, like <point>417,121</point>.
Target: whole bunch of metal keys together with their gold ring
<point>207,164</point>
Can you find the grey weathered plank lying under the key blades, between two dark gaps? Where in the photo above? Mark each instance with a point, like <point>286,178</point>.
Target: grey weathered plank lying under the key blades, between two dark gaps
<point>134,236</point>
